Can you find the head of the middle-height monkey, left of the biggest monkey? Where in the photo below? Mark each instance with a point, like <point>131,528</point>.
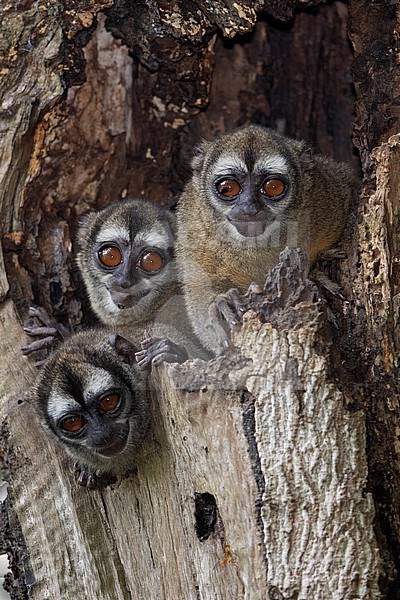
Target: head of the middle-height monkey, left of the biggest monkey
<point>126,260</point>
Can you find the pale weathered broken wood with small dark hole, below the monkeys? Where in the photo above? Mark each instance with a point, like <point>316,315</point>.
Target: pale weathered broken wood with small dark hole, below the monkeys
<point>263,434</point>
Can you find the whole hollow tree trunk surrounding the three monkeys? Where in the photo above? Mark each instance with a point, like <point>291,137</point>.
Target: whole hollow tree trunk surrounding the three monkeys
<point>270,472</point>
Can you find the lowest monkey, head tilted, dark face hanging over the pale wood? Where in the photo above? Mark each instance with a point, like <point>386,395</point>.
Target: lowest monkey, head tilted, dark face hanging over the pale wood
<point>92,398</point>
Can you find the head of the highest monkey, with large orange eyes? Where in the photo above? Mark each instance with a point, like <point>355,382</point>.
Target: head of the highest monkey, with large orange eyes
<point>249,178</point>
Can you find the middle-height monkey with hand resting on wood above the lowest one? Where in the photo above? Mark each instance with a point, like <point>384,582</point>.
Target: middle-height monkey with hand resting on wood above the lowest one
<point>126,259</point>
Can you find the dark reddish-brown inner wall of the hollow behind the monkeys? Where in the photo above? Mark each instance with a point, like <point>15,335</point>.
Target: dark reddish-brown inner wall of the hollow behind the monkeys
<point>133,131</point>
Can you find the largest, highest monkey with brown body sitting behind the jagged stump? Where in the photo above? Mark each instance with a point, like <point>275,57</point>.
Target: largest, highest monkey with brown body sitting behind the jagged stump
<point>253,192</point>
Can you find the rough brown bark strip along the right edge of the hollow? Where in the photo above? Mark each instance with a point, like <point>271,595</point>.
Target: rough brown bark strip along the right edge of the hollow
<point>369,345</point>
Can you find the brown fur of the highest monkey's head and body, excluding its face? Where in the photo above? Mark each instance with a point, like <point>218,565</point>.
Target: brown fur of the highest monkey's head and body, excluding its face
<point>213,258</point>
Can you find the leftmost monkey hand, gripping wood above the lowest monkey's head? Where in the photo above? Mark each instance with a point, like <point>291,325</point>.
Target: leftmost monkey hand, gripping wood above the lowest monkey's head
<point>46,331</point>
